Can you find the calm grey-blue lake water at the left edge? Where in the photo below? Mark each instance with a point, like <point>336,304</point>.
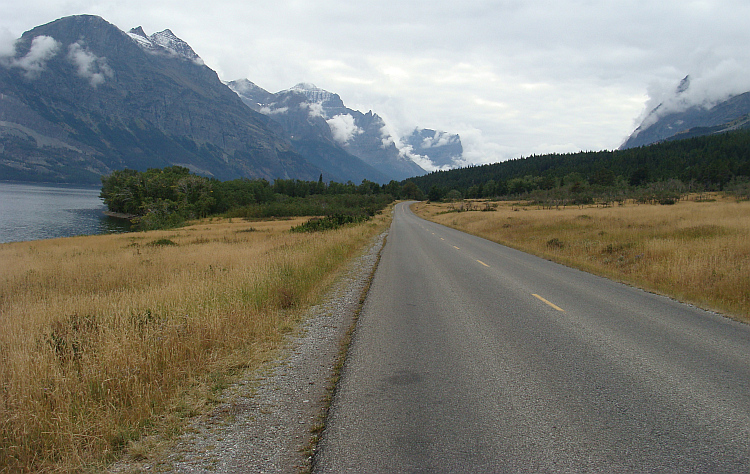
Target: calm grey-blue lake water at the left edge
<point>42,211</point>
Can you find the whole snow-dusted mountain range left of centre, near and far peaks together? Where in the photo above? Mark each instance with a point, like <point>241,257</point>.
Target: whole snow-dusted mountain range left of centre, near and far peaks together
<point>80,98</point>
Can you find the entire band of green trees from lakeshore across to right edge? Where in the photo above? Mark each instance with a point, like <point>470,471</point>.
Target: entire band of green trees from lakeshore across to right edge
<point>663,172</point>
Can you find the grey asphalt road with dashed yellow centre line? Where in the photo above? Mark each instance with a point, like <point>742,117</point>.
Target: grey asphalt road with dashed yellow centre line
<point>472,357</point>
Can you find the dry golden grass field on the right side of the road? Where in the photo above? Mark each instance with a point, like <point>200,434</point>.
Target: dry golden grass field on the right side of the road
<point>697,252</point>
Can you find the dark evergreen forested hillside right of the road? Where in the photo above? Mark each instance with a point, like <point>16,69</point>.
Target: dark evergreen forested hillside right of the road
<point>702,163</point>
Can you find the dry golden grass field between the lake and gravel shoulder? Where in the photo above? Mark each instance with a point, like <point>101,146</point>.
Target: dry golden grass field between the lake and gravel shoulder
<point>107,337</point>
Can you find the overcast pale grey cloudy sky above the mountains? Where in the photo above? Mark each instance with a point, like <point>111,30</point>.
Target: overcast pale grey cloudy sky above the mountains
<point>512,77</point>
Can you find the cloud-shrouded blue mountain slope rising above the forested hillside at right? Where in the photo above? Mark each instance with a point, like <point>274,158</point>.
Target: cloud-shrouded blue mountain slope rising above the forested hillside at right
<point>679,116</point>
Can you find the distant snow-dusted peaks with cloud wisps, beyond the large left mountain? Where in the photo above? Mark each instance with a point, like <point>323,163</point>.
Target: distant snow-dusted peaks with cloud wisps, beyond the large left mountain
<point>314,115</point>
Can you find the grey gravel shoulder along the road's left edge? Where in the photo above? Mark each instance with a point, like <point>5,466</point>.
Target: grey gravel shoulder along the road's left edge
<point>265,421</point>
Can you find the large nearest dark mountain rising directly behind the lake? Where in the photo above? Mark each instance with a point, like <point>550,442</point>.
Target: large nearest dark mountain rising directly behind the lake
<point>81,98</point>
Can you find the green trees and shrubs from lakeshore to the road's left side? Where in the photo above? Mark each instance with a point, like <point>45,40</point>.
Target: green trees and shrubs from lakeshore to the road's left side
<point>168,197</point>
